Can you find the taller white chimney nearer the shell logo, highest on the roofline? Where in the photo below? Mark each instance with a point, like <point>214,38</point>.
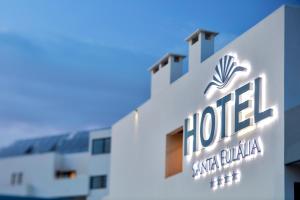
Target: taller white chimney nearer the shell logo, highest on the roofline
<point>201,46</point>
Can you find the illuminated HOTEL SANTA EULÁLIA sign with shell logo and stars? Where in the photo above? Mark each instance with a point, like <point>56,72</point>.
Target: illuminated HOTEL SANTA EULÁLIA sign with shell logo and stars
<point>243,107</point>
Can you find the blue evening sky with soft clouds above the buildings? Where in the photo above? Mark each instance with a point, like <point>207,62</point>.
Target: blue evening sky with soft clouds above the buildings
<point>68,65</point>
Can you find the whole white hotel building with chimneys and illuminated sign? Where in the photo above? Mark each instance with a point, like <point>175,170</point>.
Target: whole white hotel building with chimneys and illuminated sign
<point>226,129</point>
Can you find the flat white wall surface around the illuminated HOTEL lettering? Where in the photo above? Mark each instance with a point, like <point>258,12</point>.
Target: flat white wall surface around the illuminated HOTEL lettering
<point>138,146</point>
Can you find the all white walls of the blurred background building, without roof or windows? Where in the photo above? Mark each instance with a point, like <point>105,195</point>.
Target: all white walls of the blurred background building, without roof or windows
<point>39,173</point>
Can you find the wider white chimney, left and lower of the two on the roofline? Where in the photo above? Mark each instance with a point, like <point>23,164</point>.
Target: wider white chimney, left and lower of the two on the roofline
<point>164,72</point>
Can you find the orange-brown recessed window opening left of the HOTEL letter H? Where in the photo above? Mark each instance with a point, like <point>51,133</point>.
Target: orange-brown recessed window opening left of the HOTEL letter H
<point>174,152</point>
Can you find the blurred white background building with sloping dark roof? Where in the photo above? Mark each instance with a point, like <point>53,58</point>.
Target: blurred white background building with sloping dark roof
<point>68,166</point>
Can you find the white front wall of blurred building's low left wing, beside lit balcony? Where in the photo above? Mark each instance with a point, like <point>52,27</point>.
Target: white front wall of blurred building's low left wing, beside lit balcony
<point>38,177</point>
